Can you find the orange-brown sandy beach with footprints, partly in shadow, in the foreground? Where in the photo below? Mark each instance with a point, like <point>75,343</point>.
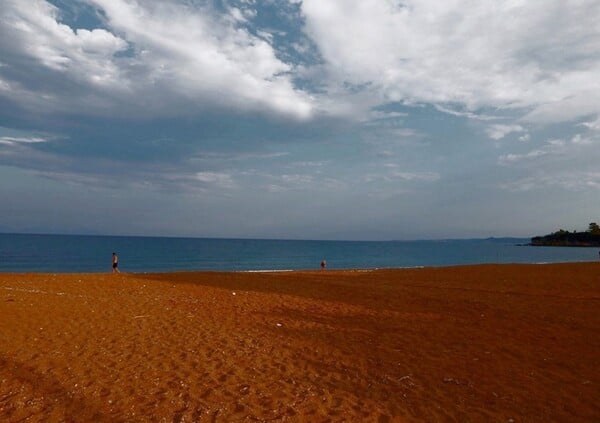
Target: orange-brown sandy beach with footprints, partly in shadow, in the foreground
<point>467,343</point>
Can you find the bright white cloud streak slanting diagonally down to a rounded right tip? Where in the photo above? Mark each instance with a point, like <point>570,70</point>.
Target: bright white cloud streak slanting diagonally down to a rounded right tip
<point>201,57</point>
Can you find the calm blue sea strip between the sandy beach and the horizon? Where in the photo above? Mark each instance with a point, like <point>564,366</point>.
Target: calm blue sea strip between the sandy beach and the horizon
<point>69,253</point>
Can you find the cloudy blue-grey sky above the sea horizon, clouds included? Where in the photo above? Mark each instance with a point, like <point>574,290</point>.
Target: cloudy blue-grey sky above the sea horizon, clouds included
<point>312,119</point>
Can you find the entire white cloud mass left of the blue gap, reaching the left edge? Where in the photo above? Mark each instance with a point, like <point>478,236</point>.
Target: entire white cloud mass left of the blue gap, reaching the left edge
<point>174,55</point>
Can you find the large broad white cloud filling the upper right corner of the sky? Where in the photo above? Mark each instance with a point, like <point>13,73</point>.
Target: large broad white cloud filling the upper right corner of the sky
<point>541,56</point>
